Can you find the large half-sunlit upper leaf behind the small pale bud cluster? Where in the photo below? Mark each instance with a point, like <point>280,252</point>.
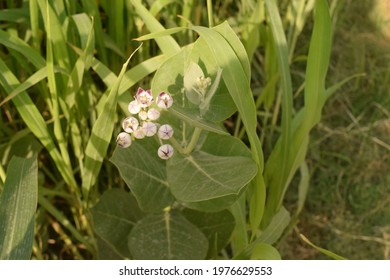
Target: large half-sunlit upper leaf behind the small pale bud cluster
<point>180,72</point>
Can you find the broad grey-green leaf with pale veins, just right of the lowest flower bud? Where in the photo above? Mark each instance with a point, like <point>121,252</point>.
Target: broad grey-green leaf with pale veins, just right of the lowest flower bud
<point>202,176</point>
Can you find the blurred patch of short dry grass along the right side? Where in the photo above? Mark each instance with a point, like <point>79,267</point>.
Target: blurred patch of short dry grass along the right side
<point>348,210</point>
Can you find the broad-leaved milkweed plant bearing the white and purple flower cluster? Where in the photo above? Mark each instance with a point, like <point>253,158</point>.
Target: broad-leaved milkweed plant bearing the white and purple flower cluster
<point>183,199</point>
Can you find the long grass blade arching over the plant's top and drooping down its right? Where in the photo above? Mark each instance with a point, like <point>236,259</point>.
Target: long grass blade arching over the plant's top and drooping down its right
<point>231,57</point>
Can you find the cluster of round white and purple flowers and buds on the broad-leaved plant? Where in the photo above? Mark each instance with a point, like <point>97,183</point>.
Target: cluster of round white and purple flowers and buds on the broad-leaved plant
<point>145,124</point>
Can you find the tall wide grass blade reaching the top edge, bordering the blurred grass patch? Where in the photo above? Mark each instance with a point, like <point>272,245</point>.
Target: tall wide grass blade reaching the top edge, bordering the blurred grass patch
<point>315,94</point>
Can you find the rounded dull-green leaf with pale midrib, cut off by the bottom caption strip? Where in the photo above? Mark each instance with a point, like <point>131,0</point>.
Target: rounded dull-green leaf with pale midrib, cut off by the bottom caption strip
<point>167,236</point>
